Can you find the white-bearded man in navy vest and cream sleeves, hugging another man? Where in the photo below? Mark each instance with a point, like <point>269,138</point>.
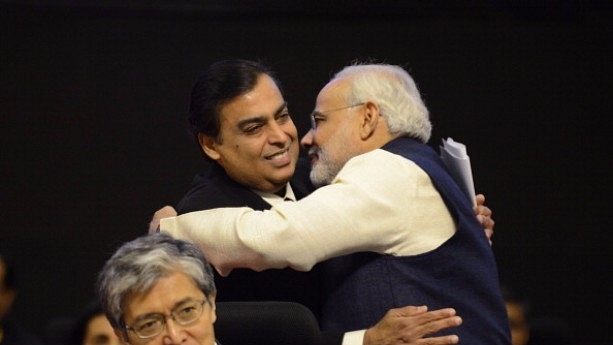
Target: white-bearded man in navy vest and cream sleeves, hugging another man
<point>385,191</point>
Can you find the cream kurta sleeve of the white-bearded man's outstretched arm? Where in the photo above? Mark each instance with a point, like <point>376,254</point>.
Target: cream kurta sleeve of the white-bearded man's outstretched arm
<point>379,202</point>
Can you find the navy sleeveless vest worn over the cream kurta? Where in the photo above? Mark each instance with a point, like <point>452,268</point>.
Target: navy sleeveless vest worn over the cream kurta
<point>461,273</point>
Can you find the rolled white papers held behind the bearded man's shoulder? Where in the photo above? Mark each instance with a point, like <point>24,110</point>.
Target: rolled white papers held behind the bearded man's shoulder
<point>457,161</point>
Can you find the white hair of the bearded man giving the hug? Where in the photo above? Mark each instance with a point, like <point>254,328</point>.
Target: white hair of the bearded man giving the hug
<point>396,94</point>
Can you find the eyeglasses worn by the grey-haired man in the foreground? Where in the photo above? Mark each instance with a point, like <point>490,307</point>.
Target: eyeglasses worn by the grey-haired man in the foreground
<point>153,324</point>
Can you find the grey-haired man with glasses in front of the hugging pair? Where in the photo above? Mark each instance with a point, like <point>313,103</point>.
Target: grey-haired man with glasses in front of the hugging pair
<point>159,290</point>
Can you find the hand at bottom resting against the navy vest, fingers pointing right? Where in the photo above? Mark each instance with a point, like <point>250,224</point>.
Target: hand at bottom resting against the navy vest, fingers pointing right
<point>409,325</point>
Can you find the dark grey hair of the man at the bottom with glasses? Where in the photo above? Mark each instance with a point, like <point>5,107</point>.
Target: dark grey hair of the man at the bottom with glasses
<point>139,264</point>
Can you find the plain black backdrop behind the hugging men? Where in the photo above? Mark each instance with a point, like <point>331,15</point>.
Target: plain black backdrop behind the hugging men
<point>94,94</point>
